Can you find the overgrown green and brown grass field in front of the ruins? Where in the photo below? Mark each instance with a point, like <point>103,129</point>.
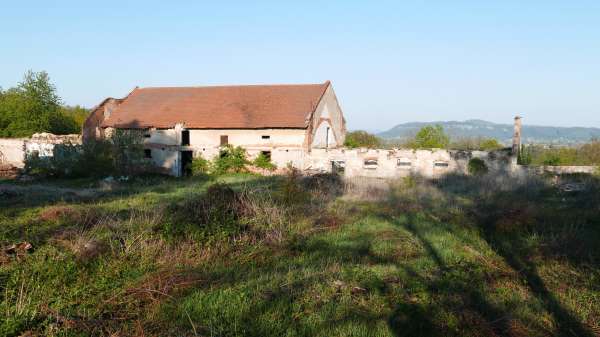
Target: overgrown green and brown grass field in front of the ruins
<point>290,256</point>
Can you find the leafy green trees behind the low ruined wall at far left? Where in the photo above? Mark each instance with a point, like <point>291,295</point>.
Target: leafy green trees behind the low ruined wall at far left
<point>33,106</point>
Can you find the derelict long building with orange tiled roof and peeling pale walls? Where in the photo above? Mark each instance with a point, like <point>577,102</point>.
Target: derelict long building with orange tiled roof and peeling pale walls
<point>284,122</point>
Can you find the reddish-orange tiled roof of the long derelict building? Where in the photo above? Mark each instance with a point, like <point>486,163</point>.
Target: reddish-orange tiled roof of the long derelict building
<point>220,107</point>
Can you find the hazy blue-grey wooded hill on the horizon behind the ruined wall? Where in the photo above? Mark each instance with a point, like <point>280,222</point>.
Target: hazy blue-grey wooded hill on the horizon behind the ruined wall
<point>501,132</point>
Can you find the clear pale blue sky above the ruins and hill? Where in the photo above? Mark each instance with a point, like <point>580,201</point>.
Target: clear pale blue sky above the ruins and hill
<point>390,62</point>
